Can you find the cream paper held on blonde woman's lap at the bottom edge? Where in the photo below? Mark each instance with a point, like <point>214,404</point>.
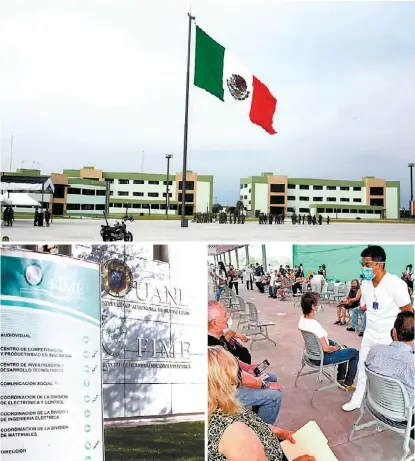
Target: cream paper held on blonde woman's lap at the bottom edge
<point>311,441</point>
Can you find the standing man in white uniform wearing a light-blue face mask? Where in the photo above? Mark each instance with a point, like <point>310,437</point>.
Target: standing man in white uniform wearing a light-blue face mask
<point>383,296</point>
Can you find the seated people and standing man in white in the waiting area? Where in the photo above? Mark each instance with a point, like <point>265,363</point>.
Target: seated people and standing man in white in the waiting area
<point>244,405</point>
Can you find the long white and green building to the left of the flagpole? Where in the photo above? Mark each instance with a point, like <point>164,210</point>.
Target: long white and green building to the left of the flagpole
<point>90,191</point>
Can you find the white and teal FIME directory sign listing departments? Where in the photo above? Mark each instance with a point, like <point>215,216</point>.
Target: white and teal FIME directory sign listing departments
<point>51,366</point>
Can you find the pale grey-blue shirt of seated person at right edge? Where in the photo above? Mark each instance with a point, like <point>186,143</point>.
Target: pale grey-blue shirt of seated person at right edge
<point>395,361</point>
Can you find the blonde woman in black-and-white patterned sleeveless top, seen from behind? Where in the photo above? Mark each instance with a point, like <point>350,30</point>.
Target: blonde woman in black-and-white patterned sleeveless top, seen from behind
<point>236,433</point>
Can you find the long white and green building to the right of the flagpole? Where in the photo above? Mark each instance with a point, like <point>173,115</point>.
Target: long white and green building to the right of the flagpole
<point>369,198</point>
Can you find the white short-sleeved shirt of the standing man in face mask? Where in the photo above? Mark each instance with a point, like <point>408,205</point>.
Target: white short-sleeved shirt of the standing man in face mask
<point>391,294</point>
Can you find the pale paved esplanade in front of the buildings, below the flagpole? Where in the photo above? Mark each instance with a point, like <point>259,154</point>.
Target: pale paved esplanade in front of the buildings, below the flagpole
<point>87,230</point>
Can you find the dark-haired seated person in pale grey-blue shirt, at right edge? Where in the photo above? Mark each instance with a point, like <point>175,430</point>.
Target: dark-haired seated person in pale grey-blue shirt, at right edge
<point>397,360</point>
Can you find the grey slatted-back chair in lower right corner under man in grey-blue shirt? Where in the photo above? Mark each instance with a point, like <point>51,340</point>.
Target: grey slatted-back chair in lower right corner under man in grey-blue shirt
<point>387,401</point>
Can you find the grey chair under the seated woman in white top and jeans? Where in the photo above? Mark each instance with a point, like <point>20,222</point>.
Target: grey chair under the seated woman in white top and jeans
<point>313,352</point>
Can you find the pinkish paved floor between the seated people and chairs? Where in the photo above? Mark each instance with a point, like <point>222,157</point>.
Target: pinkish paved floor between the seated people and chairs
<point>369,444</point>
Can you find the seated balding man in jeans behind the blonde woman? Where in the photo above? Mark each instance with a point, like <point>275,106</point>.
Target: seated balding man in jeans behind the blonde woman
<point>265,395</point>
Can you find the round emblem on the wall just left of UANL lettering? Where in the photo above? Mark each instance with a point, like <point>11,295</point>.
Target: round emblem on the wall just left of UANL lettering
<point>117,278</point>
